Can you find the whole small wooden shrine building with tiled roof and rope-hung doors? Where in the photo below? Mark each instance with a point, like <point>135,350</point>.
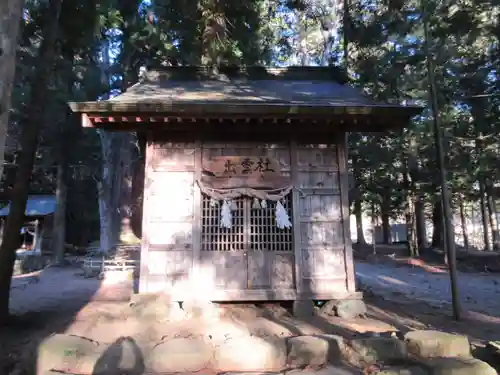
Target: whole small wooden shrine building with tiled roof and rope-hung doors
<point>245,193</point>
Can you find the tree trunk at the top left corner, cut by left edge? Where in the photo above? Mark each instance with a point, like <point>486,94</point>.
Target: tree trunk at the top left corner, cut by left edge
<point>10,21</point>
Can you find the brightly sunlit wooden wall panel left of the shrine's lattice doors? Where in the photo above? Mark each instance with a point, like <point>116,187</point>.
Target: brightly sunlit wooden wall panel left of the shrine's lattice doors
<point>168,214</point>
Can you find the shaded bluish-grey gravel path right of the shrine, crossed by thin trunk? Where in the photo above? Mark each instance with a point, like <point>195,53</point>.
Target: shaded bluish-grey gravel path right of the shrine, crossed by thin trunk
<point>478,291</point>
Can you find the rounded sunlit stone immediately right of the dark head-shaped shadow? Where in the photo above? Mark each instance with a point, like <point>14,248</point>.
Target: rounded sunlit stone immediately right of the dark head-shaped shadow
<point>180,355</point>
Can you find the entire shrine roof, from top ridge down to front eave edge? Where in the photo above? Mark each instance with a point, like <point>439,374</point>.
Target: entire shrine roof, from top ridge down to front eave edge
<point>250,91</point>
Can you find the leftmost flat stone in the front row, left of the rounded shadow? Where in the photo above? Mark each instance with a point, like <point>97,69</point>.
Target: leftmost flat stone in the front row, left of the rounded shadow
<point>67,352</point>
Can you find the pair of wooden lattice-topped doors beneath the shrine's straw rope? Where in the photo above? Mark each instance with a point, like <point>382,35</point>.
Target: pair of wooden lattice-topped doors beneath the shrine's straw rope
<point>254,244</point>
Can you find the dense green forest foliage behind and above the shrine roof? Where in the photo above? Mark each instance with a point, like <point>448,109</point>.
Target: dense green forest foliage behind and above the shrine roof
<point>386,59</point>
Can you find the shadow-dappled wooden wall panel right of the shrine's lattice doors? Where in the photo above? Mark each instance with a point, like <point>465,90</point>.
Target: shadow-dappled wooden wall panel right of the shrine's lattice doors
<point>321,230</point>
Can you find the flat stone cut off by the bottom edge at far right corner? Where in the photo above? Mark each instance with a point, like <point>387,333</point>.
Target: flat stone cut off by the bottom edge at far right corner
<point>460,366</point>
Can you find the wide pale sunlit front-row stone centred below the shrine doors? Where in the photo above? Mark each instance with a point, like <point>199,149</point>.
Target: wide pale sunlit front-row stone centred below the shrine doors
<point>250,353</point>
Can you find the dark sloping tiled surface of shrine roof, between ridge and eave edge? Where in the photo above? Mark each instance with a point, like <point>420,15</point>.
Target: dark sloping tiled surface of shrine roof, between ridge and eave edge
<point>156,87</point>
